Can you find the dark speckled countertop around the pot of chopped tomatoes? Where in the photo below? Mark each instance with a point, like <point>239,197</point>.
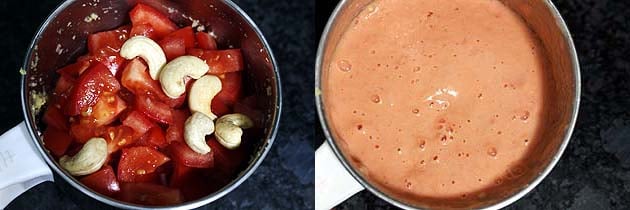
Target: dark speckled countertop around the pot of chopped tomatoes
<point>285,178</point>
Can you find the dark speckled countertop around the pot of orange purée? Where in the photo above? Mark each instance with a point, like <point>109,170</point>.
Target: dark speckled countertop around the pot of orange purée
<point>594,172</point>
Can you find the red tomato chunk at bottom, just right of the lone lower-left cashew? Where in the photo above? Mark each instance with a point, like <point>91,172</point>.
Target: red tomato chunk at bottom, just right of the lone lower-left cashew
<point>139,161</point>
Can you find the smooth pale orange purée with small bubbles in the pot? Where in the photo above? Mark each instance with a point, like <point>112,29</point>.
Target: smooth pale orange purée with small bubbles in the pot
<point>436,98</point>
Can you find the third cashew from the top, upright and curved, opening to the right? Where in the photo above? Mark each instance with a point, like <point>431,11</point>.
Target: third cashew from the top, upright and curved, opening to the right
<point>201,94</point>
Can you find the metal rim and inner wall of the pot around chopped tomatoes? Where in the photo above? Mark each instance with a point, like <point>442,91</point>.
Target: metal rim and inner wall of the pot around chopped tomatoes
<point>63,37</point>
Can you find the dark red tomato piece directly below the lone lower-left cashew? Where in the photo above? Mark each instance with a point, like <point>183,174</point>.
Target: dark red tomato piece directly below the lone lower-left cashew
<point>103,181</point>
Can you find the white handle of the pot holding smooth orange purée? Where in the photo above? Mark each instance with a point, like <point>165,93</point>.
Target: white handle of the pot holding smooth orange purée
<point>333,183</point>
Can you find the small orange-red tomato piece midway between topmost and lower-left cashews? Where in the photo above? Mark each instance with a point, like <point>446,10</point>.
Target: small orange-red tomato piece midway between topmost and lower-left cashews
<point>107,108</point>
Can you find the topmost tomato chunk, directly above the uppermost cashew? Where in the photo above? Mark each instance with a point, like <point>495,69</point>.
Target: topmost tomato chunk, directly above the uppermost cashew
<point>144,14</point>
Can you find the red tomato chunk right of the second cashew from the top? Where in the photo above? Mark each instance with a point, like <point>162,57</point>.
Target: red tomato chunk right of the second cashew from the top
<point>220,61</point>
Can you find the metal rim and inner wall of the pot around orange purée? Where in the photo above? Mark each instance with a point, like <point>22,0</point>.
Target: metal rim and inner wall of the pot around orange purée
<point>562,104</point>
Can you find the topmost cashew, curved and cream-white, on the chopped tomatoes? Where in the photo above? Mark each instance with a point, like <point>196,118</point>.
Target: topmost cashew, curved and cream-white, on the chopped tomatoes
<point>148,50</point>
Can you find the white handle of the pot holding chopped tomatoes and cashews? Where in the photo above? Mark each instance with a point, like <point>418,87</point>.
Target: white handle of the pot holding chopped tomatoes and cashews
<point>21,165</point>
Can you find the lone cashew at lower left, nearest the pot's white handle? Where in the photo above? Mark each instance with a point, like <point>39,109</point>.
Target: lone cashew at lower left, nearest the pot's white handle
<point>89,160</point>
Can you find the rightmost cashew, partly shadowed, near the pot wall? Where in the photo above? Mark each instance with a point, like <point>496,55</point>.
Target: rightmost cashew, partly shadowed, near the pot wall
<point>229,129</point>
